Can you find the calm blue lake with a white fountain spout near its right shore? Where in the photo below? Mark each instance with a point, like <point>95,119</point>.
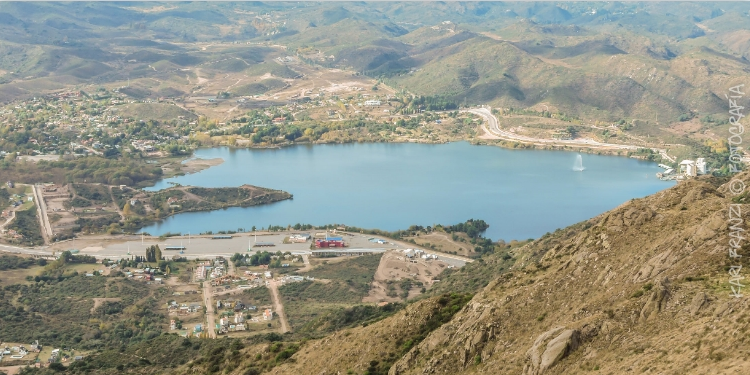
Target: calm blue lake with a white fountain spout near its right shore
<point>519,193</point>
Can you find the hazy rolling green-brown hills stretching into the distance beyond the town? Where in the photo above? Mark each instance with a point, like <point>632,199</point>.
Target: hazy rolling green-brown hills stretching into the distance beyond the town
<point>593,60</point>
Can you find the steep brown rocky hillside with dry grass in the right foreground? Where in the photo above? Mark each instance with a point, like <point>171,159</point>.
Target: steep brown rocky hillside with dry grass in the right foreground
<point>642,289</point>
